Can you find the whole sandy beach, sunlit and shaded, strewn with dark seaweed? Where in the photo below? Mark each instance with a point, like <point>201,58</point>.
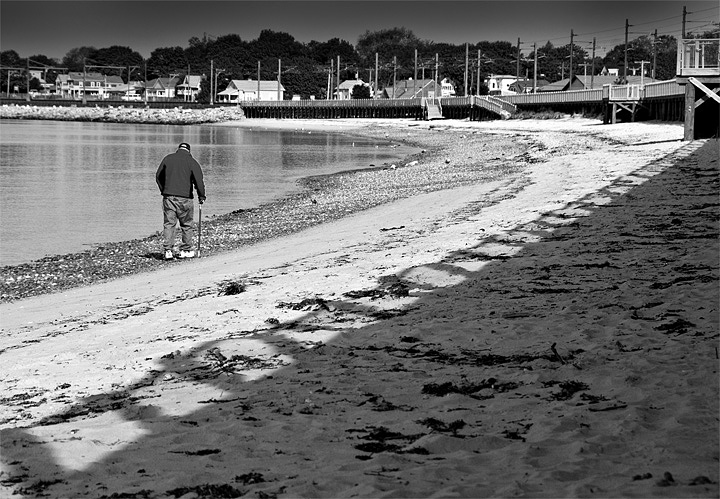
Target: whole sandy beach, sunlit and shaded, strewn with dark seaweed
<point>545,326</point>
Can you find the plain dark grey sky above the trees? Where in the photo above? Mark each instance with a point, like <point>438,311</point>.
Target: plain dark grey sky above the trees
<point>54,27</point>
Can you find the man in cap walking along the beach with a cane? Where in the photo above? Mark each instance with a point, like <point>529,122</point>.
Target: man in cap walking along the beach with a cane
<point>177,174</point>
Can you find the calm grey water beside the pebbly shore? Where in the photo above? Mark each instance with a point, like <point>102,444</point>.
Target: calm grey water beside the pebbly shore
<point>67,185</point>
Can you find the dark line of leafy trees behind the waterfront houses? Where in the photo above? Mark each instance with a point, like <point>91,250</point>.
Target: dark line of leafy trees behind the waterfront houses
<point>310,68</point>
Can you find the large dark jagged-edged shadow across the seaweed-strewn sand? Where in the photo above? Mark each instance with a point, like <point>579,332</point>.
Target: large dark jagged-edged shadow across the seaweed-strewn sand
<point>577,356</point>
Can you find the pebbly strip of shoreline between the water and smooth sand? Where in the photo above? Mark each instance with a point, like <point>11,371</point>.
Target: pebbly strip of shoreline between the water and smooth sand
<point>339,195</point>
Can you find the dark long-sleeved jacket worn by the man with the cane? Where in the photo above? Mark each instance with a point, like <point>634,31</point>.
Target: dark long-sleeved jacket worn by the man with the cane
<point>177,174</point>
